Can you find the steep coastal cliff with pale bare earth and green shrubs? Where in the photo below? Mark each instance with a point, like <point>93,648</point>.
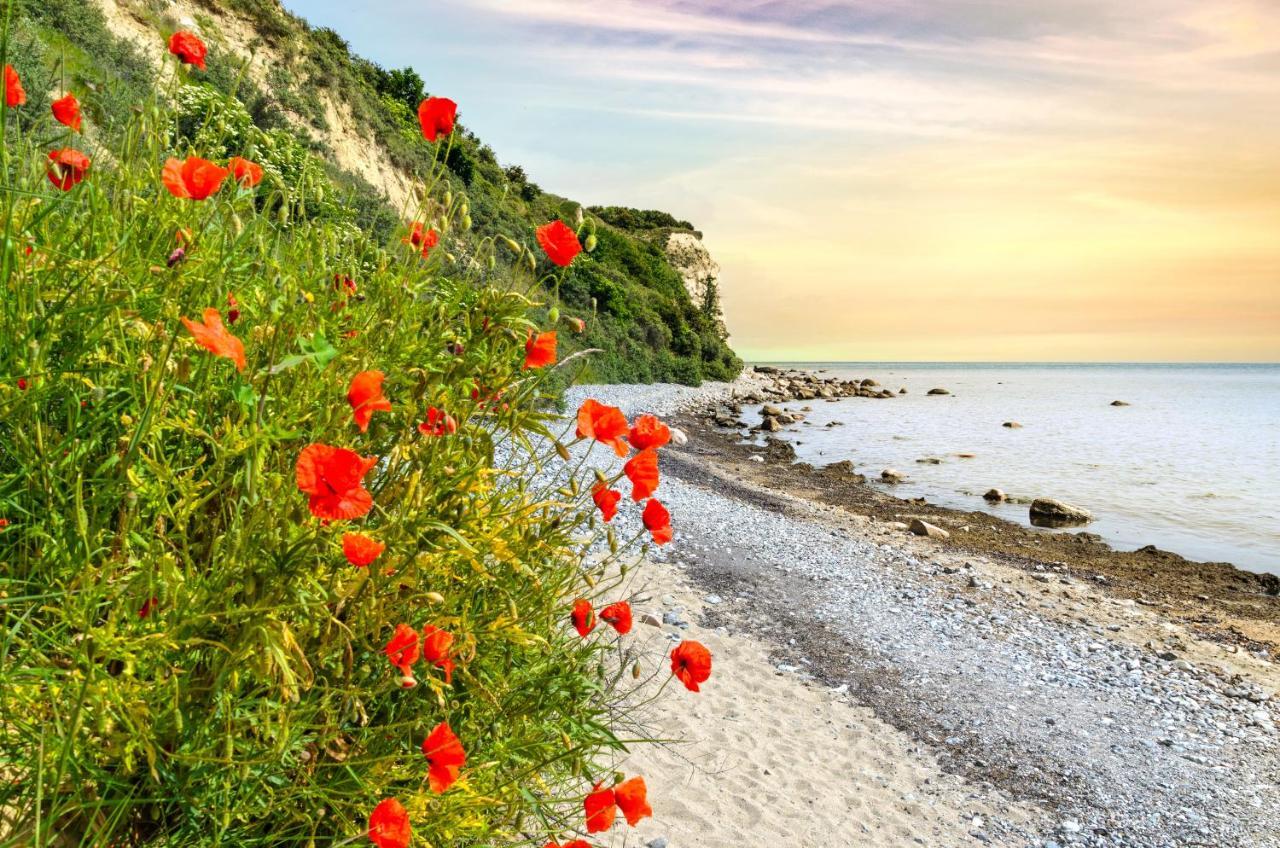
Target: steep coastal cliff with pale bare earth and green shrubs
<point>304,106</point>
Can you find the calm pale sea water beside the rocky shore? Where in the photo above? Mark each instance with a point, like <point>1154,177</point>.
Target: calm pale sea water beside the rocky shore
<point>1192,466</point>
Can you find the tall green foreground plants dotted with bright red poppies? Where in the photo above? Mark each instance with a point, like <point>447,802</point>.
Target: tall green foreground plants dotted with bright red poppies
<point>289,539</point>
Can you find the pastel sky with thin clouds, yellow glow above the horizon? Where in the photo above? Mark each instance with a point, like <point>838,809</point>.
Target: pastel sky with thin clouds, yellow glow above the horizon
<point>902,180</point>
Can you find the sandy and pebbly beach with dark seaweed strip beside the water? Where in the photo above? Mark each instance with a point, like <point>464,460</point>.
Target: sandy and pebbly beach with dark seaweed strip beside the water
<point>877,689</point>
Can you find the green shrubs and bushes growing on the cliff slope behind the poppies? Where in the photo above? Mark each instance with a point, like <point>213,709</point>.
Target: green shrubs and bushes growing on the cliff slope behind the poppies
<point>633,300</point>
